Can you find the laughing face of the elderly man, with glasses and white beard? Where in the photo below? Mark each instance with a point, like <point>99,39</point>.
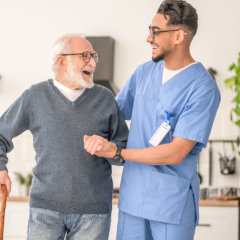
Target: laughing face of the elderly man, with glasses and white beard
<point>80,68</point>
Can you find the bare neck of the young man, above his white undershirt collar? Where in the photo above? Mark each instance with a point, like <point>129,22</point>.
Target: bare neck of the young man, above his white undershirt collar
<point>178,61</point>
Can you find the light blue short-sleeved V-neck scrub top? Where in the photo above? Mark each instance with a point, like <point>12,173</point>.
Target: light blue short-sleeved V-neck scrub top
<point>159,192</point>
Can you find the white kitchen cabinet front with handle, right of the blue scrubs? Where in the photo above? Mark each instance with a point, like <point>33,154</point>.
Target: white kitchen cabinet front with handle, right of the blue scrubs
<point>221,223</point>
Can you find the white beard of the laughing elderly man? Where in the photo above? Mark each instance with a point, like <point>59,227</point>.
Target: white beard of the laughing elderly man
<point>77,78</point>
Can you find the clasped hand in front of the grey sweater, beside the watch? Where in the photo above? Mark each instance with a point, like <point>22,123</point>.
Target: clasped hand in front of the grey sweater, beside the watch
<point>97,145</point>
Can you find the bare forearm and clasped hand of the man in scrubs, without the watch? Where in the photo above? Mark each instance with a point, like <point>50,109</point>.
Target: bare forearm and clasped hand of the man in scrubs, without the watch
<point>166,154</point>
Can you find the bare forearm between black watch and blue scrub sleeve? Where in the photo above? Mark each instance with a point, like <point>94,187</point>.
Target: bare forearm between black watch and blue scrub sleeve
<point>166,154</point>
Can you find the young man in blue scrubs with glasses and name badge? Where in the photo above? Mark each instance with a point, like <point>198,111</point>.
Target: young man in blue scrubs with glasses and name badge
<point>175,94</point>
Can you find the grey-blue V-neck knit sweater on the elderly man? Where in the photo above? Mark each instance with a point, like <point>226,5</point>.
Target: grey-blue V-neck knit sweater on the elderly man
<point>66,178</point>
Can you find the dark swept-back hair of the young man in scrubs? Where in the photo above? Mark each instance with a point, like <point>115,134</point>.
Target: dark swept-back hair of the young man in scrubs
<point>180,13</point>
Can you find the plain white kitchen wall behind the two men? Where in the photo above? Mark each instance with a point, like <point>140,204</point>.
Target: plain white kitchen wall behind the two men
<point>29,28</point>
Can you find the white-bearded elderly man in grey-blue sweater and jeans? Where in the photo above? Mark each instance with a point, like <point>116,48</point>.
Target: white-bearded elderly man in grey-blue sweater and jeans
<point>71,193</point>
